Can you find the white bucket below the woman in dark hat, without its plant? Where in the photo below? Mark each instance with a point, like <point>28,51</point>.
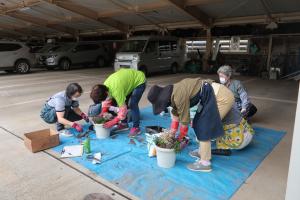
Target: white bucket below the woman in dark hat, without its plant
<point>165,157</point>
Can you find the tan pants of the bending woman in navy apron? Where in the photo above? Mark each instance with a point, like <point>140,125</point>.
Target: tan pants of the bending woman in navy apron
<point>225,101</point>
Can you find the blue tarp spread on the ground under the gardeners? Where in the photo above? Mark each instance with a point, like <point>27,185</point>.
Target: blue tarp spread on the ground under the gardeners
<point>128,165</point>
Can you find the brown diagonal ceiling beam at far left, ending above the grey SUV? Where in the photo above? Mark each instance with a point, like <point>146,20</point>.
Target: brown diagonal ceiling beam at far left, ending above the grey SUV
<point>41,22</point>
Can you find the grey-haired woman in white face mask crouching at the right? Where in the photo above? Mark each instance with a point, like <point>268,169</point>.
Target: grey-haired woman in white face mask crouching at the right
<point>241,97</point>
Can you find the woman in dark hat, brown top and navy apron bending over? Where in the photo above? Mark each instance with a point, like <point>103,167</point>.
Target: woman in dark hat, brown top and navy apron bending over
<point>213,100</point>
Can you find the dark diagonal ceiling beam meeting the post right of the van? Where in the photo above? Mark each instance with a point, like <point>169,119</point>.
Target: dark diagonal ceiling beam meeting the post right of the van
<point>193,11</point>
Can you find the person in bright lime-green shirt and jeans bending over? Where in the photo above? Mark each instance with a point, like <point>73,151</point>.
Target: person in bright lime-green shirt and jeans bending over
<point>124,87</point>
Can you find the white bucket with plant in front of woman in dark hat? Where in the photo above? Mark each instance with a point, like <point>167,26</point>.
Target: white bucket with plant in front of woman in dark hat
<point>166,148</point>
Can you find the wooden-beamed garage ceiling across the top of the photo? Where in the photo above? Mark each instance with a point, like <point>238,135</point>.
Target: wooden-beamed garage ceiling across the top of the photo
<point>93,17</point>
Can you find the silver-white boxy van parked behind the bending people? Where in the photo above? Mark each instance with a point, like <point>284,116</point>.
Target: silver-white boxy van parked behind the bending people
<point>152,54</point>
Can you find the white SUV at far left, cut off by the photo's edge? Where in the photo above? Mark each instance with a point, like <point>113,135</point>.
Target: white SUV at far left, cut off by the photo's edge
<point>16,56</point>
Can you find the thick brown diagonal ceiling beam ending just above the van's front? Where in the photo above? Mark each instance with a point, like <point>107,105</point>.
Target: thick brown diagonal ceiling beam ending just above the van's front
<point>91,14</point>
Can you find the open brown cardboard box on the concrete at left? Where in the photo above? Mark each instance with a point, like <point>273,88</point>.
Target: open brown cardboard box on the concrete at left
<point>41,140</point>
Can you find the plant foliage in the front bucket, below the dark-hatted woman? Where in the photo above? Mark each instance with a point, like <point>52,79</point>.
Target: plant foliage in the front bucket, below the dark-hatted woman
<point>167,140</point>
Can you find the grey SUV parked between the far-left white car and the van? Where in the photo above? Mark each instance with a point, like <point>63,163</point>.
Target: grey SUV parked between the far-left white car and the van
<point>69,54</point>
